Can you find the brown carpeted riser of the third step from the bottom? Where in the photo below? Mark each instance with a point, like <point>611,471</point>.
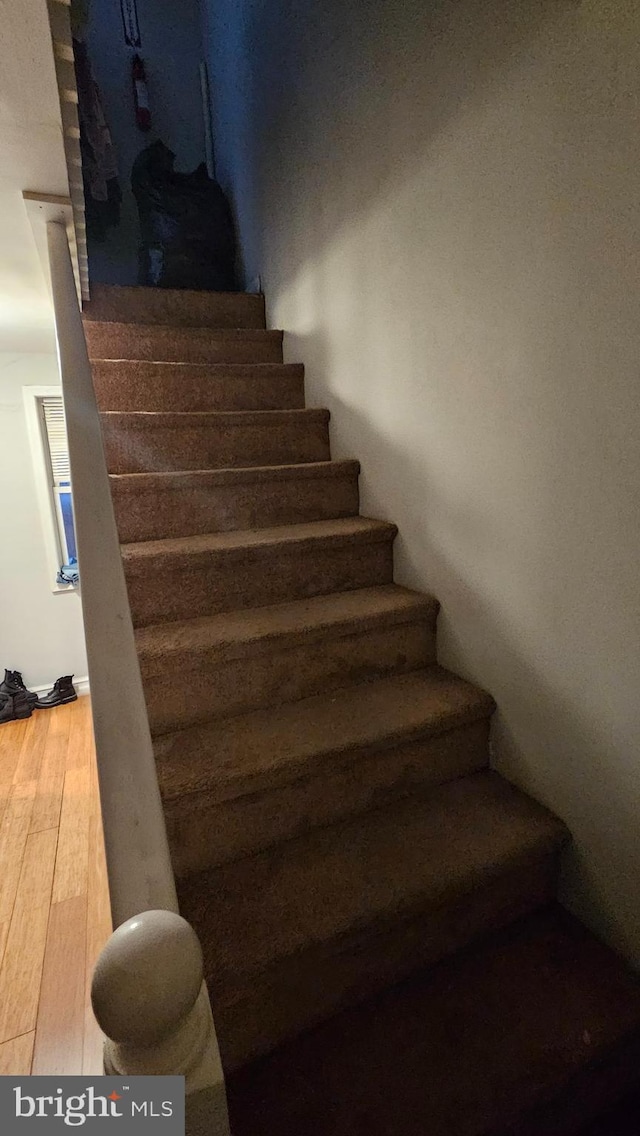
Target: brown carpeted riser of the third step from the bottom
<point>205,832</point>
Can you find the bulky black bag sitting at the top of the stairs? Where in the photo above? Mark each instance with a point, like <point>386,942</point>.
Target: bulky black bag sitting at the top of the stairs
<point>186,225</point>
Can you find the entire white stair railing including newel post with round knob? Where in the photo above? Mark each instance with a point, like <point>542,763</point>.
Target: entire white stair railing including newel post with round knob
<point>148,993</point>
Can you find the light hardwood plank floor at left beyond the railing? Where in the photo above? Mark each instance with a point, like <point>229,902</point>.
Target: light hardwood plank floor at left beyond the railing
<point>54,898</point>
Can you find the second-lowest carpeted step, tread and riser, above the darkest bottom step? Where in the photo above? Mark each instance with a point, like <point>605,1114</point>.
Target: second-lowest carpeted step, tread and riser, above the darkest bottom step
<point>377,898</point>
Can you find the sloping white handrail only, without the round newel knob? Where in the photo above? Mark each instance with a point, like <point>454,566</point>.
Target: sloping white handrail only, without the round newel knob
<point>138,857</point>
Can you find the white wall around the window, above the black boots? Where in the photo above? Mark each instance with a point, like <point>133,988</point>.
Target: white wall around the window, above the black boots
<point>41,633</point>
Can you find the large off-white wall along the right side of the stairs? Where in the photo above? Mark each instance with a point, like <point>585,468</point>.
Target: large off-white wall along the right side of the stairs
<point>443,202</point>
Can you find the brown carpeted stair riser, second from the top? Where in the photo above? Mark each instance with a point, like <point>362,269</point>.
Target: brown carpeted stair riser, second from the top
<point>181,345</point>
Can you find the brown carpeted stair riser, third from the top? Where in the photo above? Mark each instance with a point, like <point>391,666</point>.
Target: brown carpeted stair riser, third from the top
<point>131,386</point>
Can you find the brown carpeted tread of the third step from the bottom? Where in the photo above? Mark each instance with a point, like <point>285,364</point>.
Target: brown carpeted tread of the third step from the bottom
<point>261,751</point>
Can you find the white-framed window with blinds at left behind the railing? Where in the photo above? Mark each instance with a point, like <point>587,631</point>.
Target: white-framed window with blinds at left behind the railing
<point>48,438</point>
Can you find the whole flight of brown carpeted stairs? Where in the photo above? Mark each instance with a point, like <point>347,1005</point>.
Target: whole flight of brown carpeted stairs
<point>342,847</point>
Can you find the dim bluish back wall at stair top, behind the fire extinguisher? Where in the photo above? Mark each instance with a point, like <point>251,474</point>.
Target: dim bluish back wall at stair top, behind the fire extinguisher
<point>172,52</point>
